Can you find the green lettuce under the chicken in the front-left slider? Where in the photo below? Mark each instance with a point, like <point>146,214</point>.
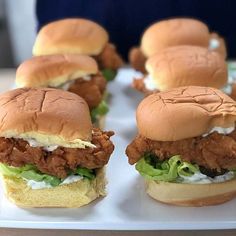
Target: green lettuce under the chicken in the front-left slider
<point>30,172</point>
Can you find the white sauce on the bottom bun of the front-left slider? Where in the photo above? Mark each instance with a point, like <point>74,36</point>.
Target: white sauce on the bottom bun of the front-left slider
<point>41,184</point>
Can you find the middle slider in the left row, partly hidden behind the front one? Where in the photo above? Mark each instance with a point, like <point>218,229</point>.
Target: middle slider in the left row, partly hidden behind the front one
<point>71,72</point>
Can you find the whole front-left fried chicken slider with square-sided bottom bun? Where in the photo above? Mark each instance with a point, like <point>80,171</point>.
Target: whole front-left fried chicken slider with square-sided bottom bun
<point>50,155</point>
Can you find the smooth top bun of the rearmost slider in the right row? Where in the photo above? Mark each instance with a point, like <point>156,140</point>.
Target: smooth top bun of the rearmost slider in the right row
<point>173,32</point>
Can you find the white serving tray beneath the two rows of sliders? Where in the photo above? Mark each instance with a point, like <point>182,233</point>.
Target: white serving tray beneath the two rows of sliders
<point>126,207</point>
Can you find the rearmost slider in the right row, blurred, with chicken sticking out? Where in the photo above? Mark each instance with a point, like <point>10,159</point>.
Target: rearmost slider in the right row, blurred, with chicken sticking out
<point>174,32</point>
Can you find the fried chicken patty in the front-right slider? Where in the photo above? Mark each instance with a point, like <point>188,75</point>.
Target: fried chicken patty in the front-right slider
<point>214,152</point>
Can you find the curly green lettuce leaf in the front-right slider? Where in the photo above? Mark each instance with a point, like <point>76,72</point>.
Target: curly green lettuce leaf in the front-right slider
<point>168,170</point>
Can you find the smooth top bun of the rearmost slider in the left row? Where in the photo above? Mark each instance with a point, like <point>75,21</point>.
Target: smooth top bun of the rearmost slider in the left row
<point>77,35</point>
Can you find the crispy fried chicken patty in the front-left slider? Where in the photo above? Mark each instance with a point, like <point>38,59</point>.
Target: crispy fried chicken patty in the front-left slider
<point>17,153</point>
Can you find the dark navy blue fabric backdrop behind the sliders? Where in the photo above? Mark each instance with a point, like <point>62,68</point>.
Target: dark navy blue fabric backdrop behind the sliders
<point>125,20</point>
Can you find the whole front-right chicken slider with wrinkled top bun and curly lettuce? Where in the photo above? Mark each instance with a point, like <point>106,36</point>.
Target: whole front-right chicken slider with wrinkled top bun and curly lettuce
<point>185,147</point>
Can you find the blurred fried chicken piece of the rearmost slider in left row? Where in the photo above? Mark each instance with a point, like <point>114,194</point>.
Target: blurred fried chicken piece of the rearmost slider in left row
<point>109,58</point>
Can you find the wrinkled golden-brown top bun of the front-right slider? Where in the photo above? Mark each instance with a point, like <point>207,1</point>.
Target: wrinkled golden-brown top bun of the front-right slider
<point>184,112</point>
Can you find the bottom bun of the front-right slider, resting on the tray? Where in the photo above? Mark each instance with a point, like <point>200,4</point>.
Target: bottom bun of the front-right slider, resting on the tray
<point>191,194</point>
